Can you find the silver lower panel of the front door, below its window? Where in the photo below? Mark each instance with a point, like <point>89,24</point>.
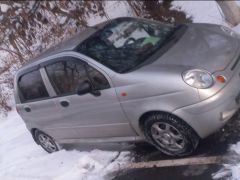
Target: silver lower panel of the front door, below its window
<point>88,115</point>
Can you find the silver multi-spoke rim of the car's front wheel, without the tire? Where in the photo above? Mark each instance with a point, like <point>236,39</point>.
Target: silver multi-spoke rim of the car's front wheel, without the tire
<point>167,136</point>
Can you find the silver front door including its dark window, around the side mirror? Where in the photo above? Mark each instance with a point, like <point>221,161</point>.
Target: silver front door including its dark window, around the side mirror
<point>91,116</point>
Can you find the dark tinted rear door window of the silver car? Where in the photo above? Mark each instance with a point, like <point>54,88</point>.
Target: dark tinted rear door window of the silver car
<point>32,87</point>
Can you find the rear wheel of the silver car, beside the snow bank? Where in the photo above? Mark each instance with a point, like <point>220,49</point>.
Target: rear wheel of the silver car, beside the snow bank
<point>46,142</point>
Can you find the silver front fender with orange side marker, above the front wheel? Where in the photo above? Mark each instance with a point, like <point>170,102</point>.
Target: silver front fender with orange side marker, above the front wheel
<point>147,91</point>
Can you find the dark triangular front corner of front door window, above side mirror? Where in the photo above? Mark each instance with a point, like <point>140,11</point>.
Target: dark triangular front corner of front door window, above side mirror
<point>99,81</point>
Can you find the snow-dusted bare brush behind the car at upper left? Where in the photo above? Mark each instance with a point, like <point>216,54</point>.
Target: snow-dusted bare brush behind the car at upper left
<point>29,27</point>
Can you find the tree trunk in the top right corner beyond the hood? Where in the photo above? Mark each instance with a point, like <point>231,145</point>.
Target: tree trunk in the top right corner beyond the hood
<point>230,10</point>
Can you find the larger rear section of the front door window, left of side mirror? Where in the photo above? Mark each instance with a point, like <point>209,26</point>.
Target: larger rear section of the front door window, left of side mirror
<point>66,75</point>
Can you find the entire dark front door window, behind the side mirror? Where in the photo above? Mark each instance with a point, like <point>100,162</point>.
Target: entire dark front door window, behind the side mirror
<point>68,73</point>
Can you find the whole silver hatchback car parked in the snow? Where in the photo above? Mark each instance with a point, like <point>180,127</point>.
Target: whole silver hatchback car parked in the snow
<point>132,79</point>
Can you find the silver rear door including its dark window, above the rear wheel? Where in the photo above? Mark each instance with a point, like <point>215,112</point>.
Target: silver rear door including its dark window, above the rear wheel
<point>37,108</point>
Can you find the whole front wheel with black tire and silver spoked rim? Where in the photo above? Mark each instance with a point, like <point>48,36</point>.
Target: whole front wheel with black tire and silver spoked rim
<point>170,134</point>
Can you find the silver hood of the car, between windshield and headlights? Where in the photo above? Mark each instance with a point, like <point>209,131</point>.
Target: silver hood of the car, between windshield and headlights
<point>202,46</point>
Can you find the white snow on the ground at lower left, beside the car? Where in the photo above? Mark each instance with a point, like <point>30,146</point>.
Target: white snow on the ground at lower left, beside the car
<point>22,159</point>
